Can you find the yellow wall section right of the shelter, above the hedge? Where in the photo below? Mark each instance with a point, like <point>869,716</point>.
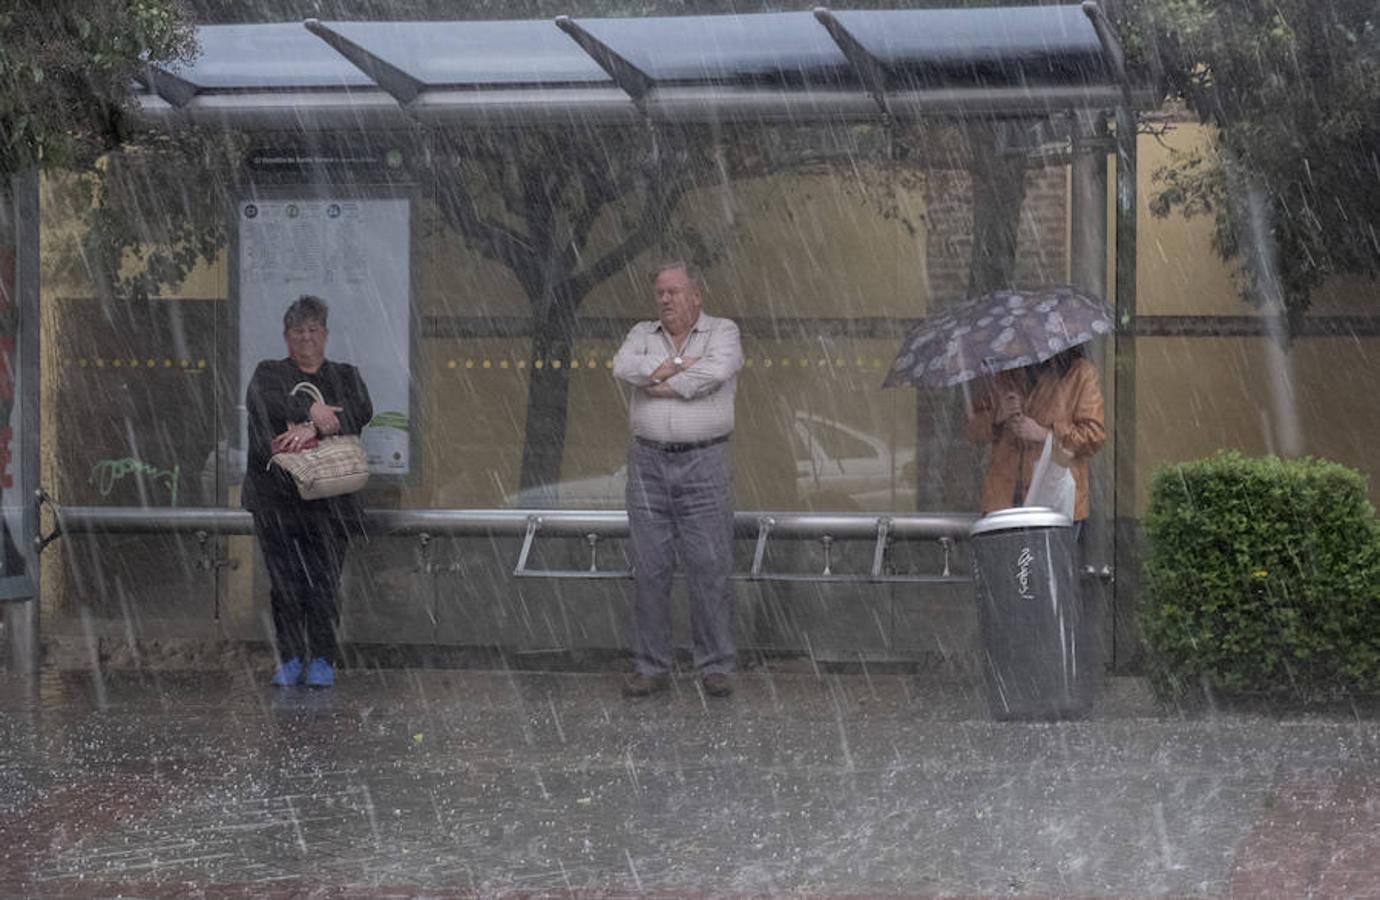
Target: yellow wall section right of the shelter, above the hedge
<point>1196,395</point>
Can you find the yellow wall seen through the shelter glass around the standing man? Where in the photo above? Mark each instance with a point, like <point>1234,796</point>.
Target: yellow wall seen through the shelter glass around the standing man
<point>800,248</point>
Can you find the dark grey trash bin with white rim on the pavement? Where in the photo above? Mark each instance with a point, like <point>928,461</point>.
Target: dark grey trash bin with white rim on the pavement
<point>1040,656</point>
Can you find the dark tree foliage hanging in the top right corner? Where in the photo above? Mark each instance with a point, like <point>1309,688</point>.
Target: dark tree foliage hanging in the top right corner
<point>1294,179</point>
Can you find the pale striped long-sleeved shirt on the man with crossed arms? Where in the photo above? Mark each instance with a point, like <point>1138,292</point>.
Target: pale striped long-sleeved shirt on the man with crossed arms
<point>703,404</point>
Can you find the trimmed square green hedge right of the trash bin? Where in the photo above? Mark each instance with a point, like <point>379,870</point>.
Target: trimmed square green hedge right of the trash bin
<point>1263,575</point>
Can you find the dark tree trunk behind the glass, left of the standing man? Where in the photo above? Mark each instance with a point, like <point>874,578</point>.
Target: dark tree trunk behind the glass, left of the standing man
<point>549,390</point>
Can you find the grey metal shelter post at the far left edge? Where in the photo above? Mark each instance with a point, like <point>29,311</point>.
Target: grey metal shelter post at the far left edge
<point>21,611</point>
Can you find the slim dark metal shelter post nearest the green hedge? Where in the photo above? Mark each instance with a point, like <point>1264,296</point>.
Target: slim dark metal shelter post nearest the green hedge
<point>1127,649</point>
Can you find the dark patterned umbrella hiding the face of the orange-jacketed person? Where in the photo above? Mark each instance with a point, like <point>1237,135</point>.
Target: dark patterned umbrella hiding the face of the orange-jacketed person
<point>1007,329</point>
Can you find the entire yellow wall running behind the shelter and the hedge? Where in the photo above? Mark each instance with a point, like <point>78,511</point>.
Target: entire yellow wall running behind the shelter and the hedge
<point>816,246</point>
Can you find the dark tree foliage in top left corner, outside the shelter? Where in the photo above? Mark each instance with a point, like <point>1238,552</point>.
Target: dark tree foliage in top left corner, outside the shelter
<point>66,75</point>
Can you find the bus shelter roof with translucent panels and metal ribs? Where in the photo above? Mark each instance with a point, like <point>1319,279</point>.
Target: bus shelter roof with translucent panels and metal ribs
<point>776,67</point>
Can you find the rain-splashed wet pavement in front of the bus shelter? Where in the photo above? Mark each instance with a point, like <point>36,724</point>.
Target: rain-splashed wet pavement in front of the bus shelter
<point>460,782</point>
